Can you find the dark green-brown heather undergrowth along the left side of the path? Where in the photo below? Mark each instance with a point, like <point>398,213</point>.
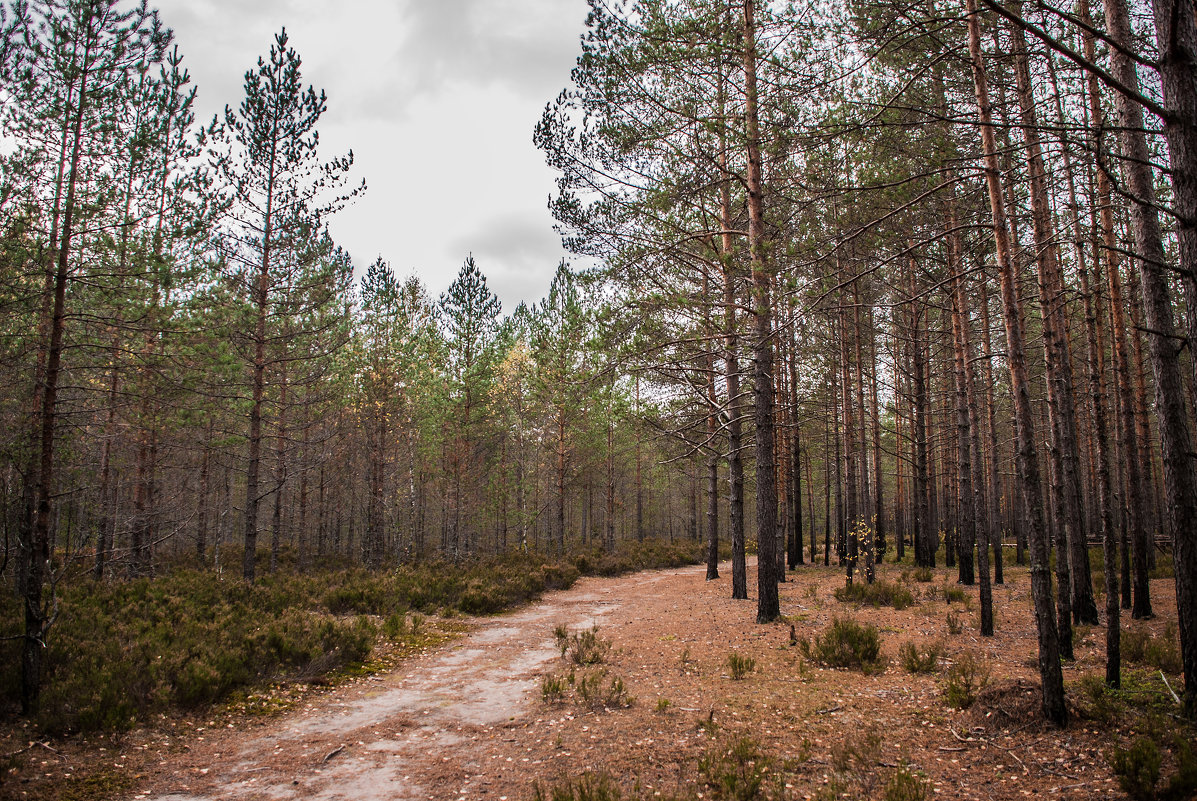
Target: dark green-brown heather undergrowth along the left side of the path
<point>120,652</point>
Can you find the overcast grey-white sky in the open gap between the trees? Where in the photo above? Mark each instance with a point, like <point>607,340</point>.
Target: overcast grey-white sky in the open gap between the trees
<point>438,99</point>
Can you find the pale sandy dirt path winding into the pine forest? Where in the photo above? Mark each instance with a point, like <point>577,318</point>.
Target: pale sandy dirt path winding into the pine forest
<point>440,726</point>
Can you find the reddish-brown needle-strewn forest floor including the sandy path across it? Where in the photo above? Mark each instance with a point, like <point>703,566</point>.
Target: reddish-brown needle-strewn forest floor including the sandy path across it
<point>467,719</point>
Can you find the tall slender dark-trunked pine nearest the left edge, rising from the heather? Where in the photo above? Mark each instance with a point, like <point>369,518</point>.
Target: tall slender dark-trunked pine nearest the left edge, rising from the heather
<point>64,77</point>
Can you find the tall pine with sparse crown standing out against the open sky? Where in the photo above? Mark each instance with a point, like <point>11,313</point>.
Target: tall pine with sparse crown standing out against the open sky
<point>274,242</point>
